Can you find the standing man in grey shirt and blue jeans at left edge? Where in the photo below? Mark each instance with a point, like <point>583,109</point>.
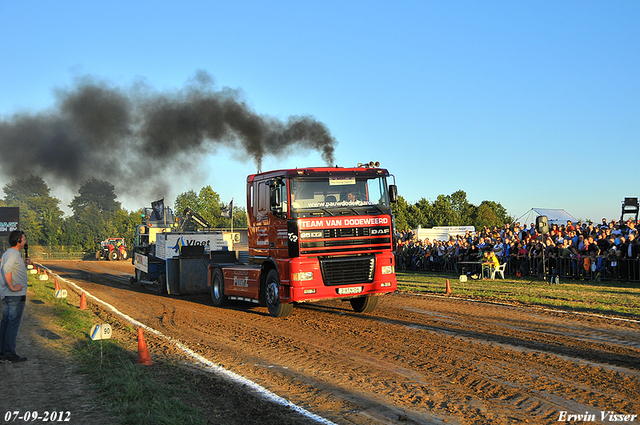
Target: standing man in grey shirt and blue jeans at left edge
<point>13,291</point>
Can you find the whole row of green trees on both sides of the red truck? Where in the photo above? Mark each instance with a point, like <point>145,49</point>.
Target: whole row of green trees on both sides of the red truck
<point>97,215</point>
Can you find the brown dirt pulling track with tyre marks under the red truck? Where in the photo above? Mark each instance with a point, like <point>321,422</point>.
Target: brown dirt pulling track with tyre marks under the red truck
<point>416,359</point>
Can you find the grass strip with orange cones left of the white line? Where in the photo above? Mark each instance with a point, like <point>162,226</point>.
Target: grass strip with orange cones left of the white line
<point>131,392</point>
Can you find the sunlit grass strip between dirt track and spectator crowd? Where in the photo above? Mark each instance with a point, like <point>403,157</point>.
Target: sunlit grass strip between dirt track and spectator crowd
<point>606,298</point>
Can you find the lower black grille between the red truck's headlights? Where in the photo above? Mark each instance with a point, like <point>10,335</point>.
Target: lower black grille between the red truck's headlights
<point>347,270</point>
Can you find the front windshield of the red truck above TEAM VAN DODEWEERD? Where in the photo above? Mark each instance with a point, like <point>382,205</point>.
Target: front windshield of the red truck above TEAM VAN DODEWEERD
<point>331,193</point>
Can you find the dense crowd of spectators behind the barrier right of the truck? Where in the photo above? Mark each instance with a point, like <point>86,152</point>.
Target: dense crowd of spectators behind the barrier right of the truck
<point>609,250</point>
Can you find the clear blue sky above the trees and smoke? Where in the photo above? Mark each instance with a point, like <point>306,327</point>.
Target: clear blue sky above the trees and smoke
<point>530,104</point>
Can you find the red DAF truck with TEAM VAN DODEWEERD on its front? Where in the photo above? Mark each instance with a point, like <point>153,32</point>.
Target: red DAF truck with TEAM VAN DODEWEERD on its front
<point>314,234</point>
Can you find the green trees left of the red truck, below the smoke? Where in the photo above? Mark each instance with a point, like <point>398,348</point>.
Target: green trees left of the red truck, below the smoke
<point>96,214</point>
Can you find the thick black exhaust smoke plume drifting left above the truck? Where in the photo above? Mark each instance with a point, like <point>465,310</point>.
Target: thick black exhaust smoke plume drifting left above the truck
<point>126,136</point>
